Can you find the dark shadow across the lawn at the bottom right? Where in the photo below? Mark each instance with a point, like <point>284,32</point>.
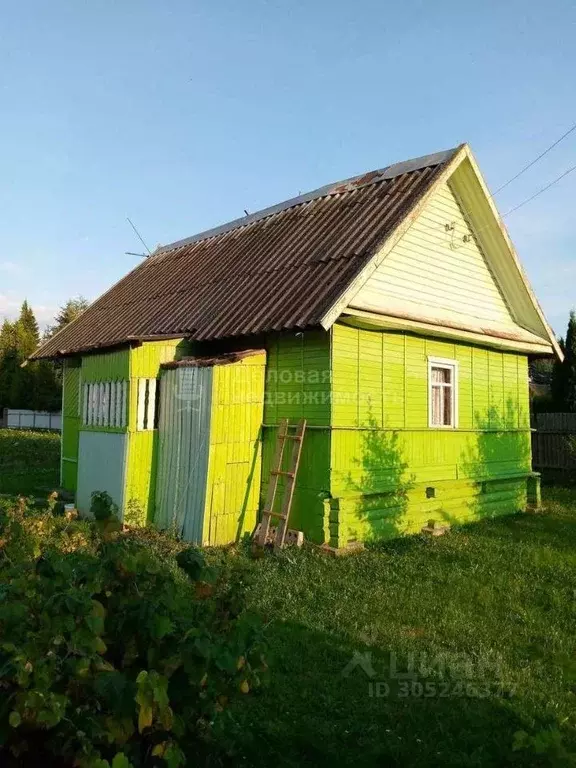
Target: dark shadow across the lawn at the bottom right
<point>320,711</point>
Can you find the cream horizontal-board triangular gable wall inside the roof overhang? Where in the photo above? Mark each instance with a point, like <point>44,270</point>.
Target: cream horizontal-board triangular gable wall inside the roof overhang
<point>434,276</point>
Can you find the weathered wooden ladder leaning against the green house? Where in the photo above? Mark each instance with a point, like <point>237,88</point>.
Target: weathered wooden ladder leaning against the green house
<point>275,474</point>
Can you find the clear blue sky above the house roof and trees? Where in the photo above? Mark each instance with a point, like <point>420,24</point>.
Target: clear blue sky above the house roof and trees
<point>181,114</point>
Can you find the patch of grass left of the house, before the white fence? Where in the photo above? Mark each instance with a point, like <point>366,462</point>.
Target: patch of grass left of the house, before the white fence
<point>29,462</point>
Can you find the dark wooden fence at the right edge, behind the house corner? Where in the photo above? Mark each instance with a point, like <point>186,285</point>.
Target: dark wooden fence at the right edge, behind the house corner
<point>550,441</point>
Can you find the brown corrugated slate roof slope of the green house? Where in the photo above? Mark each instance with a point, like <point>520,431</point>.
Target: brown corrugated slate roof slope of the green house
<point>280,268</point>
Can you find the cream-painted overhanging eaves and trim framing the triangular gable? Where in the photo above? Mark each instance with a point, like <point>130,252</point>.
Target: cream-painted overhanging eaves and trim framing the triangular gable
<point>469,188</point>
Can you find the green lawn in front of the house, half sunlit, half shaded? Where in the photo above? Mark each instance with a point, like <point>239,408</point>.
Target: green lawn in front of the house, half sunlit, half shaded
<point>496,600</point>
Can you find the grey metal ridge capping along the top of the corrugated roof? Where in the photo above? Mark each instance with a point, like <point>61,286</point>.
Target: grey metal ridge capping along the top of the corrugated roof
<point>338,187</point>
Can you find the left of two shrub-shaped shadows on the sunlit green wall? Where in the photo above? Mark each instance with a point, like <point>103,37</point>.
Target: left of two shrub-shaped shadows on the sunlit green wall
<point>378,511</point>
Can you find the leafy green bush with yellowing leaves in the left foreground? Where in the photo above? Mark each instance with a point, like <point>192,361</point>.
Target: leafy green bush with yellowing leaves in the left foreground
<point>116,649</point>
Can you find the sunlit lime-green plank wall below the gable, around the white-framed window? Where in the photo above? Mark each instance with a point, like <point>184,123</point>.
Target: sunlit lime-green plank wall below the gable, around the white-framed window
<point>390,472</point>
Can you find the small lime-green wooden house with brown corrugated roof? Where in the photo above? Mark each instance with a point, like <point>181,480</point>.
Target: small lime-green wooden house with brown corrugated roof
<point>390,310</point>
